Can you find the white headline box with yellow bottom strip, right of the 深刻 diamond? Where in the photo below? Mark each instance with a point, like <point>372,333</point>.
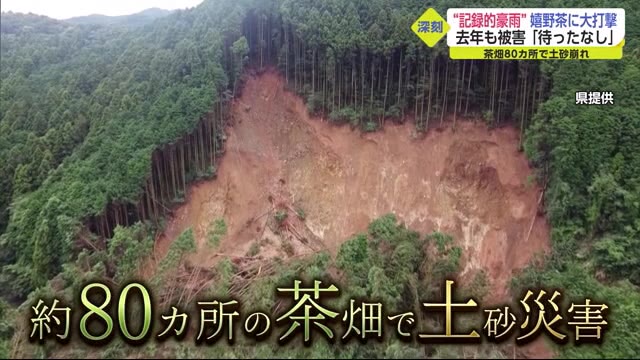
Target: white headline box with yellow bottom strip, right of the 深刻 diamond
<point>536,34</point>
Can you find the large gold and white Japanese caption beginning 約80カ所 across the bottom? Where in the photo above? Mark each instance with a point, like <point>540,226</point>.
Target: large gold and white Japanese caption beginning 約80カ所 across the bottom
<point>103,312</point>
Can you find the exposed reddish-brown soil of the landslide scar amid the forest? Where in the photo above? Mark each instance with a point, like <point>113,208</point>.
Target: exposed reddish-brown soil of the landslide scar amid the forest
<point>471,183</point>
